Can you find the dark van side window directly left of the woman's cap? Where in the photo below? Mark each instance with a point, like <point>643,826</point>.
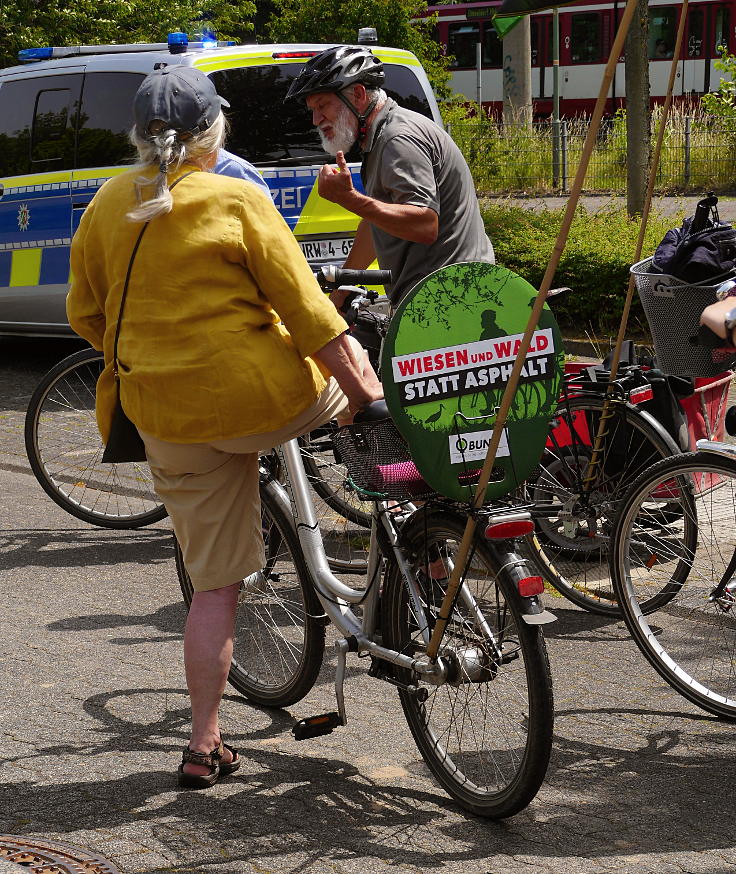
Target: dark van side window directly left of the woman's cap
<point>104,123</point>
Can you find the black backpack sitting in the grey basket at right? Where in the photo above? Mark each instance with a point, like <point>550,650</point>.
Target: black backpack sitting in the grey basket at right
<point>703,250</point>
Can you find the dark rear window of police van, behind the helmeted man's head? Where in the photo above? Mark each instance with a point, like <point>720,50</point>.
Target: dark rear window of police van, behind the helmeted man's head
<point>266,131</point>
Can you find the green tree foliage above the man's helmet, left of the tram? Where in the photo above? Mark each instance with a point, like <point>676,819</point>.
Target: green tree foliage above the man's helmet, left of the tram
<point>398,22</point>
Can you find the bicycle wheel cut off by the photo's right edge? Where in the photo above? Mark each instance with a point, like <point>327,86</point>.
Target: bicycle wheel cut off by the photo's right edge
<point>673,566</point>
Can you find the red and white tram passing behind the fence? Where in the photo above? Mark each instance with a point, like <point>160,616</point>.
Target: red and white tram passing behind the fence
<point>586,34</point>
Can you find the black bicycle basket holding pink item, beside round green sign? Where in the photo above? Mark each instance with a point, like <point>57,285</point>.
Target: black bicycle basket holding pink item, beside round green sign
<point>378,462</point>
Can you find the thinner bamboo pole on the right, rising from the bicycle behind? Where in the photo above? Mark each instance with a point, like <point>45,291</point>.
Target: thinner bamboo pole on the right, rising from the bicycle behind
<point>654,166</point>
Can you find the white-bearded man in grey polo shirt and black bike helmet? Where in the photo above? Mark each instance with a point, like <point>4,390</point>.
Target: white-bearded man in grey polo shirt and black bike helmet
<point>420,211</point>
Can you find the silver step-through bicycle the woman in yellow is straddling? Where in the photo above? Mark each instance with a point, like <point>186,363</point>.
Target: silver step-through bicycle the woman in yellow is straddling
<point>481,714</point>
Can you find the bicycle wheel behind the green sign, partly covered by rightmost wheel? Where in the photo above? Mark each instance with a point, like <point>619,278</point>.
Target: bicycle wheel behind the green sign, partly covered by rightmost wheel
<point>573,521</point>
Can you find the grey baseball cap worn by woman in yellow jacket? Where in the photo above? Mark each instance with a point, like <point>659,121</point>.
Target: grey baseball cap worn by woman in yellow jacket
<point>182,97</point>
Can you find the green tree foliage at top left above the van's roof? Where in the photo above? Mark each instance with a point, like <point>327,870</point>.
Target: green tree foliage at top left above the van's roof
<point>28,23</point>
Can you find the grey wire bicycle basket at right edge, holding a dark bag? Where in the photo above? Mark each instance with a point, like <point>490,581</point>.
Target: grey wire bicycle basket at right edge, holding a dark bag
<point>673,309</point>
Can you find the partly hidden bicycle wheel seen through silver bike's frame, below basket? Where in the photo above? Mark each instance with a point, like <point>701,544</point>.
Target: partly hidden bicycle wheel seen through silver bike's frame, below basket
<point>344,517</point>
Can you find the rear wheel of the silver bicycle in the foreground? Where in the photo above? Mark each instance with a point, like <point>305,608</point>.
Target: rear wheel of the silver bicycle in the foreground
<point>486,733</point>
